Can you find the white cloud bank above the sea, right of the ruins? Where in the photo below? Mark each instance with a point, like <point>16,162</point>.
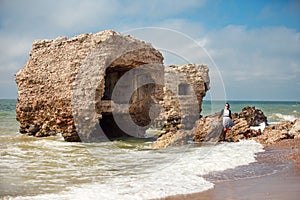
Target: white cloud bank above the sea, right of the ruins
<point>261,61</point>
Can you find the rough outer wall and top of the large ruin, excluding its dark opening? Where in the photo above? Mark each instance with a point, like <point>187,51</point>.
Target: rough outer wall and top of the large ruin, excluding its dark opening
<point>63,75</point>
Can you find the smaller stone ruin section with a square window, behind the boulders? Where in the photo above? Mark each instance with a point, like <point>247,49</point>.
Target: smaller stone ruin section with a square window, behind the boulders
<point>185,86</point>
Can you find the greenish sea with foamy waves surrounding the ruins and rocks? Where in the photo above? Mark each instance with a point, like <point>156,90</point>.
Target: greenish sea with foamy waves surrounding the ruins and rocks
<point>50,168</point>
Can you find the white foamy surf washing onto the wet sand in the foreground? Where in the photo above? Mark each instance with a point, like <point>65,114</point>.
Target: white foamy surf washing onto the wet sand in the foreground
<point>184,176</point>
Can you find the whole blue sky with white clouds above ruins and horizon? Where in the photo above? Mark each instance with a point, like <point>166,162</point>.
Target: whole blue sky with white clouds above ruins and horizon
<point>254,45</point>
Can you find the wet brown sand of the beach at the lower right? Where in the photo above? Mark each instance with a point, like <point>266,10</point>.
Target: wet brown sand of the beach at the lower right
<point>284,183</point>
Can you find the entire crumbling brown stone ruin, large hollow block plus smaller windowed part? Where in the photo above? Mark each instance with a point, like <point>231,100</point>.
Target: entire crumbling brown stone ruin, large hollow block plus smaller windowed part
<point>104,85</point>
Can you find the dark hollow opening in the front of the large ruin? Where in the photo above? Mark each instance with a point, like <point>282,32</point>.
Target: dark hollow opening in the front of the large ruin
<point>133,99</point>
